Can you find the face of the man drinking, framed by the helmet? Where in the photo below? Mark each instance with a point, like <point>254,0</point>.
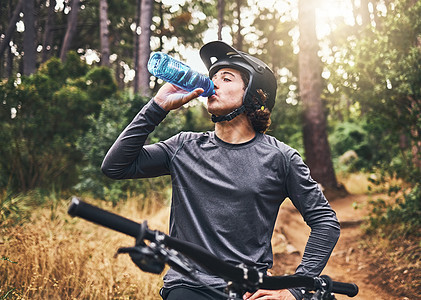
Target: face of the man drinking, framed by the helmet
<point>229,92</point>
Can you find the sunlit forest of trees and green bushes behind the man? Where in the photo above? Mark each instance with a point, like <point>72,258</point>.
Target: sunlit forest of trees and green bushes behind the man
<point>73,75</point>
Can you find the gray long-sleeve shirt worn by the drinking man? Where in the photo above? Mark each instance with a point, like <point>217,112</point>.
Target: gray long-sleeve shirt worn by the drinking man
<point>226,197</point>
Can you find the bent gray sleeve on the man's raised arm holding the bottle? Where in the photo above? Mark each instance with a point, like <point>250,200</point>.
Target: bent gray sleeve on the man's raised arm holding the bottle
<point>129,157</point>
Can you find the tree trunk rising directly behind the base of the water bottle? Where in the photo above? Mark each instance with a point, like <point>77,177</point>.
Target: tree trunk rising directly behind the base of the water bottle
<point>144,47</point>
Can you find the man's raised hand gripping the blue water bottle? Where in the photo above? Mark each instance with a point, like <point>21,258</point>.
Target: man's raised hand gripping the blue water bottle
<point>171,97</point>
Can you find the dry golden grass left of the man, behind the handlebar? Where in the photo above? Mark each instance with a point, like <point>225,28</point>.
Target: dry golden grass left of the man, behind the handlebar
<point>58,257</point>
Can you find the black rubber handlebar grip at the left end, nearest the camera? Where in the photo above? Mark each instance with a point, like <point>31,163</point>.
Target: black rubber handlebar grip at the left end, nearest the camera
<point>102,217</point>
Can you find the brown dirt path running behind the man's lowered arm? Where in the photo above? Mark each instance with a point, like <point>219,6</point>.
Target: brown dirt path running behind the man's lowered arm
<point>348,262</point>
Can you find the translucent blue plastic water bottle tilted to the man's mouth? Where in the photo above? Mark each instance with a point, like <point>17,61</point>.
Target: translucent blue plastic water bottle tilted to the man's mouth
<point>171,70</point>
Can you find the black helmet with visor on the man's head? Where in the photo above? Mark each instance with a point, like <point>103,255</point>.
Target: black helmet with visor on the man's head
<point>216,55</point>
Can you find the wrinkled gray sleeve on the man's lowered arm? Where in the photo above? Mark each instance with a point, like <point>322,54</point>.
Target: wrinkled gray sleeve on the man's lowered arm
<point>308,198</point>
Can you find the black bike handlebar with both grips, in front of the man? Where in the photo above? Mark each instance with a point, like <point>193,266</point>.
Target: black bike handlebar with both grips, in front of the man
<point>201,256</point>
